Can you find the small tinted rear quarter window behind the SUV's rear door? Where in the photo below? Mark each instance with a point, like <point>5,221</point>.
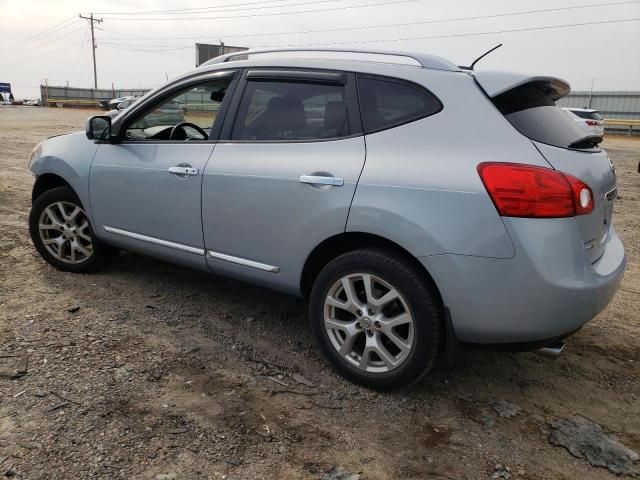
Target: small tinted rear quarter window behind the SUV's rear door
<point>387,103</point>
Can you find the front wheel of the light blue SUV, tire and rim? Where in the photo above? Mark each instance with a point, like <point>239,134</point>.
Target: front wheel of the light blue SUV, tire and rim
<point>81,251</point>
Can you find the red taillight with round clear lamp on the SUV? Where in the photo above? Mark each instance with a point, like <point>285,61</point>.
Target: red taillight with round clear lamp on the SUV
<point>519,190</point>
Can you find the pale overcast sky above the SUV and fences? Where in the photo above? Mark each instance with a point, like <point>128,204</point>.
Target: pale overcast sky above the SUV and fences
<point>141,43</point>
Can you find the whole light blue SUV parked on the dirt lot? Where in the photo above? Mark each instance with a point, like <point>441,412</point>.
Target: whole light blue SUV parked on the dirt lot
<point>417,204</point>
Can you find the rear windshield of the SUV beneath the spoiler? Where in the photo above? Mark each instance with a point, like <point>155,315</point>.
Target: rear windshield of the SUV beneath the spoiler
<point>530,109</point>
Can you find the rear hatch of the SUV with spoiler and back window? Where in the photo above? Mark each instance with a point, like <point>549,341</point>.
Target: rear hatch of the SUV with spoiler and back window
<point>528,103</point>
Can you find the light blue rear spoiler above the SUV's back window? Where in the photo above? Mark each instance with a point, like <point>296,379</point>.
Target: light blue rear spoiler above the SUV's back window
<point>495,82</point>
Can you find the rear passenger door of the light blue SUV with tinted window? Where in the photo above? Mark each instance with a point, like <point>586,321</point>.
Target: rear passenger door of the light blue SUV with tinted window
<point>283,175</point>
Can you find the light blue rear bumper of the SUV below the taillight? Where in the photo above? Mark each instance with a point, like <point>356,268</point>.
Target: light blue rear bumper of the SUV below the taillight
<point>547,290</point>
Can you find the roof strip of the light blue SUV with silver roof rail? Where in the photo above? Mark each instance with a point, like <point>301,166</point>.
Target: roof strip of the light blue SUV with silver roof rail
<point>421,59</point>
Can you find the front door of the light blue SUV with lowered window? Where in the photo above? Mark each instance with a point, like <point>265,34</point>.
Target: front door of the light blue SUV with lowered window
<point>145,190</point>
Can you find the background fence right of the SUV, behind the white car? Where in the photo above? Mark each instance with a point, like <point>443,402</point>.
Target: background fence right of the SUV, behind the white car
<point>621,110</point>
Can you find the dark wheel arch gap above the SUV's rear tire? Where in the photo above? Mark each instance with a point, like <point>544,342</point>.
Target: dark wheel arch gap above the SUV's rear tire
<point>341,243</point>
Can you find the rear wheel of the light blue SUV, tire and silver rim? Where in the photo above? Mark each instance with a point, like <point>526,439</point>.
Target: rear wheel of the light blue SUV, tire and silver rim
<point>387,273</point>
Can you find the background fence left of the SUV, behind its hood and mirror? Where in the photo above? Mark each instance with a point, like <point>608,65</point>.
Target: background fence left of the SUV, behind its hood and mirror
<point>53,96</point>
